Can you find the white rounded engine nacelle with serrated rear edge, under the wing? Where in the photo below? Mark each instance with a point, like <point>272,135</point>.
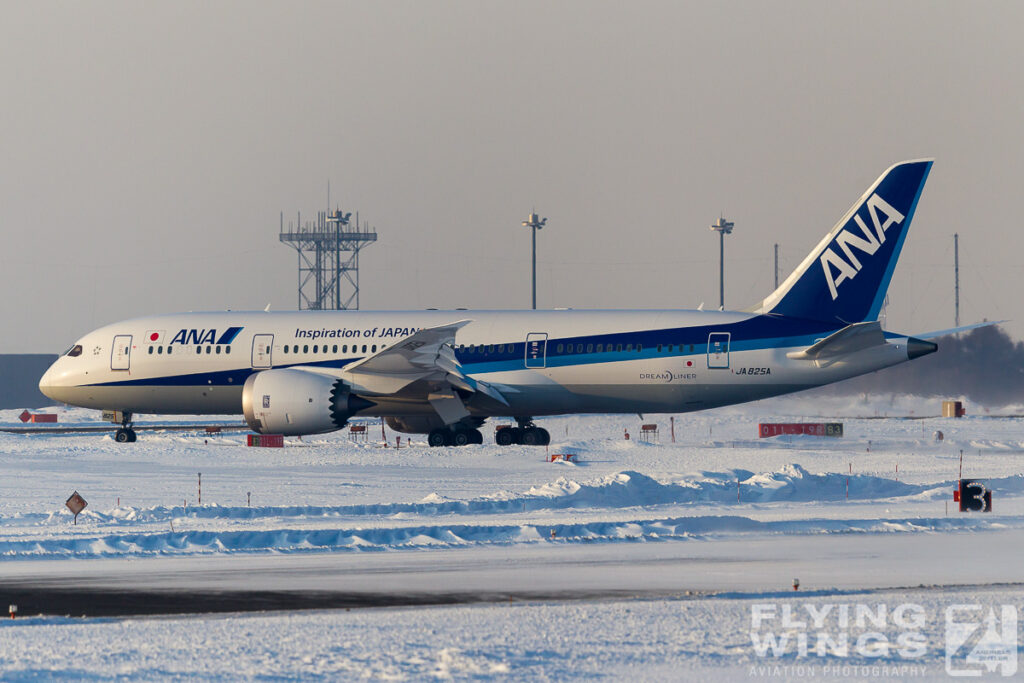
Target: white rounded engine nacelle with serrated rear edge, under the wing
<point>296,402</point>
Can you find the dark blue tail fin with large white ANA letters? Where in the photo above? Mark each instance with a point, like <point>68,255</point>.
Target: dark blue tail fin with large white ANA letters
<point>845,279</point>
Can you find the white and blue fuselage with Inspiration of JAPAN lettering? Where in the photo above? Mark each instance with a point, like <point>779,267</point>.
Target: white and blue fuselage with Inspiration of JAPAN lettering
<point>546,363</point>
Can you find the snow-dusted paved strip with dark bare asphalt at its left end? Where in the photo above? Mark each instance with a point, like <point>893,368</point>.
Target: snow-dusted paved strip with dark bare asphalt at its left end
<point>547,572</point>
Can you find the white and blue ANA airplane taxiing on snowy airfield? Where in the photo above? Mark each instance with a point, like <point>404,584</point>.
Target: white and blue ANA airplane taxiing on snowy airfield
<point>444,373</point>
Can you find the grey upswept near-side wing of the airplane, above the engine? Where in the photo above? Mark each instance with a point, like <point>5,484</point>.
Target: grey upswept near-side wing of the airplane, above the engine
<point>428,355</point>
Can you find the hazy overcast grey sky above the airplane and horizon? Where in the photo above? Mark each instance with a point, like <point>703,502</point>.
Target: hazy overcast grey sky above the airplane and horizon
<point>148,150</point>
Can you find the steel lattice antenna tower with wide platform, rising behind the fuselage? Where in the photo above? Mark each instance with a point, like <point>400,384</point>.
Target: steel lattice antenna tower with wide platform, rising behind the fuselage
<point>328,251</point>
